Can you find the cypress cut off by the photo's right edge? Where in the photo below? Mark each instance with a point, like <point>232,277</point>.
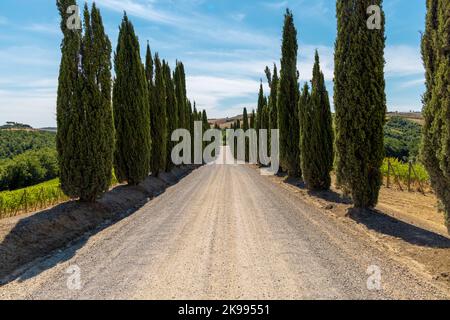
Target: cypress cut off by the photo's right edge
<point>436,132</point>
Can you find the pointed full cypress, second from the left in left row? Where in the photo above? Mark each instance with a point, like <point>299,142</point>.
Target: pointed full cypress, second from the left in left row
<point>131,112</point>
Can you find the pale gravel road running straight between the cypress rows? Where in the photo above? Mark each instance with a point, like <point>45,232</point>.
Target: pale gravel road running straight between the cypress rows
<point>223,232</point>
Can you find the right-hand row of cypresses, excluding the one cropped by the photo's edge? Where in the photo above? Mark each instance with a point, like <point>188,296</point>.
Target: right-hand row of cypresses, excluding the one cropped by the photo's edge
<point>304,119</point>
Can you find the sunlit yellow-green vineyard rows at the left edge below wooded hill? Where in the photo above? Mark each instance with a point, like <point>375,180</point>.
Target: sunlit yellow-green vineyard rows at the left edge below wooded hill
<point>30,199</point>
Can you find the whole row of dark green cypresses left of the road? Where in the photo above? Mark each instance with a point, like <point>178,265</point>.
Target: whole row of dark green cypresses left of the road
<point>125,124</point>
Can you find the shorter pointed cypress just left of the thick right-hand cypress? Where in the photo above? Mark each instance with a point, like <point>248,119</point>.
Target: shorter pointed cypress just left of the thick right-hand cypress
<point>316,132</point>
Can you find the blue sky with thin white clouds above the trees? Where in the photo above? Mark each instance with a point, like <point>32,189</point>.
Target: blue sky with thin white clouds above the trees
<point>224,44</point>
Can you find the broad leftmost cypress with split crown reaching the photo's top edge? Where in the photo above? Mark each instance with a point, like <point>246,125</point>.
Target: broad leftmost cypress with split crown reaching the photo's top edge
<point>85,138</point>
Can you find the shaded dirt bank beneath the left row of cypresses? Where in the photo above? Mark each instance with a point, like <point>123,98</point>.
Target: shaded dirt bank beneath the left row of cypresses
<point>28,237</point>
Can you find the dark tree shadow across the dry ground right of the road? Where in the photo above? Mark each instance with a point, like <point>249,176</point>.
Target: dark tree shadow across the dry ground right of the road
<point>387,225</point>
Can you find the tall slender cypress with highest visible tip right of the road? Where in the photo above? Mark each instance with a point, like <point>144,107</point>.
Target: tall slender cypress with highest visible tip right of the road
<point>287,100</point>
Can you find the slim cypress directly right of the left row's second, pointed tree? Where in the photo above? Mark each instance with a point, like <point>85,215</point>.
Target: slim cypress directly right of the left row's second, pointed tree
<point>158,120</point>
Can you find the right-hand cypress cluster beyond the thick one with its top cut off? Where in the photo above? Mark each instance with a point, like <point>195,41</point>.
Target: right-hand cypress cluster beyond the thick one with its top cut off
<point>304,119</point>
